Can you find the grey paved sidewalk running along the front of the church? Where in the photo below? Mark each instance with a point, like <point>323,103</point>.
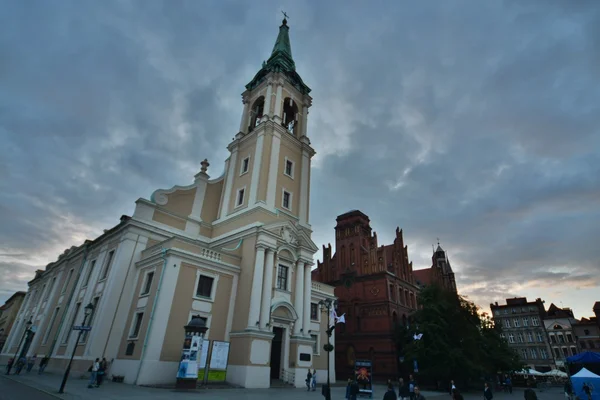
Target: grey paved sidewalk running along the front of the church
<point>77,389</point>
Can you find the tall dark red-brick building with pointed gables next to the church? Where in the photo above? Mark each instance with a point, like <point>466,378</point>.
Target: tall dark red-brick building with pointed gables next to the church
<point>376,291</point>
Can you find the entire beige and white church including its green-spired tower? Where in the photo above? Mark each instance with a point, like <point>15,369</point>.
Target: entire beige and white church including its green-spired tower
<point>235,250</point>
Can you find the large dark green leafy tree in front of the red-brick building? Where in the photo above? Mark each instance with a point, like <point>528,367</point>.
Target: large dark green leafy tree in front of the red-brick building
<point>457,343</point>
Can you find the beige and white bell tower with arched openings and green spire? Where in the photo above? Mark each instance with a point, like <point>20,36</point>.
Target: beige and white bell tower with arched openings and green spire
<point>269,165</point>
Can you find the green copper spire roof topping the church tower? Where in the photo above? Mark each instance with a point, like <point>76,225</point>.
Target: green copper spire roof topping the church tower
<point>281,60</point>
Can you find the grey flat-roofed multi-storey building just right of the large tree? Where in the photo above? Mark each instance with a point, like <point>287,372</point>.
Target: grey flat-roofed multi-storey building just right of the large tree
<point>522,324</point>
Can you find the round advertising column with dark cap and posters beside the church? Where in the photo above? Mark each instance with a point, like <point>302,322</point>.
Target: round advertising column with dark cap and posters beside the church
<point>195,328</point>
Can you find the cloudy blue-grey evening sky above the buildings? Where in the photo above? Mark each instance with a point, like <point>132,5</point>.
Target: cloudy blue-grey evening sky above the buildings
<point>475,122</point>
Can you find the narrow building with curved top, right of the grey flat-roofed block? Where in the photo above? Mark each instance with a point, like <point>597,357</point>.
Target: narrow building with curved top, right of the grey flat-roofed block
<point>559,326</point>
